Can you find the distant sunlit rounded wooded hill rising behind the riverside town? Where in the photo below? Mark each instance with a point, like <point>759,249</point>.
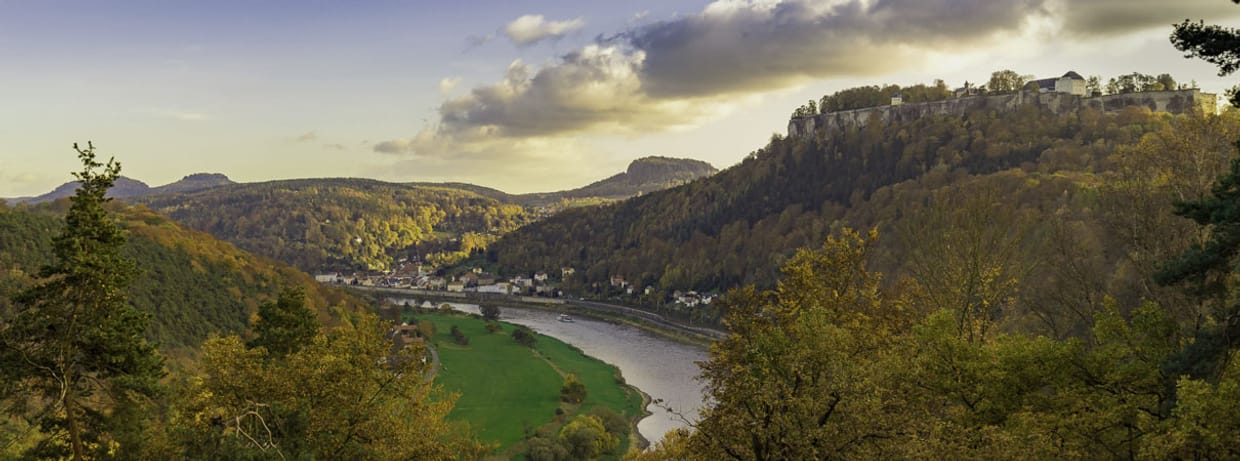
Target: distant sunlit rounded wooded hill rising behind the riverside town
<point>344,224</point>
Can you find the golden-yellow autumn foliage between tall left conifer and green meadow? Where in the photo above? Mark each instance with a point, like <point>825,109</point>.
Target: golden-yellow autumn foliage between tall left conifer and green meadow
<point>344,396</point>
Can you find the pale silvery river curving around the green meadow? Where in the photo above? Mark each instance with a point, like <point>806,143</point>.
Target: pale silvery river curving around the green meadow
<point>658,366</point>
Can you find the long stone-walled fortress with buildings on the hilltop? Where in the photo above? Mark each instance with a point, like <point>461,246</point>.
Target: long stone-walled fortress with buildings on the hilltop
<point>1061,96</point>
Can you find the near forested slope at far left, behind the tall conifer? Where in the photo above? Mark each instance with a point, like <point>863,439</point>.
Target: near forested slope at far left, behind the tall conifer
<point>190,283</point>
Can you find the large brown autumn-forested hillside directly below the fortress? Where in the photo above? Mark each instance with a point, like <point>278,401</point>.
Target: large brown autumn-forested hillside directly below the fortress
<point>741,225</point>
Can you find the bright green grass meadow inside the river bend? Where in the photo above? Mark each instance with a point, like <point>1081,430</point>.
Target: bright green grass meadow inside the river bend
<point>507,389</point>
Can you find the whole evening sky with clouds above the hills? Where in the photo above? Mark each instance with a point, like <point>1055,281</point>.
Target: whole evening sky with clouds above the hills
<point>520,96</point>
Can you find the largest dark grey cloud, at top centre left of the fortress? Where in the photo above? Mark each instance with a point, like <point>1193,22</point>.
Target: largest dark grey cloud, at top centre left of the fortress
<point>738,48</point>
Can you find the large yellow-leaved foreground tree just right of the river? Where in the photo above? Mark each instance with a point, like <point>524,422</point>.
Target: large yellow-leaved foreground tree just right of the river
<point>799,379</point>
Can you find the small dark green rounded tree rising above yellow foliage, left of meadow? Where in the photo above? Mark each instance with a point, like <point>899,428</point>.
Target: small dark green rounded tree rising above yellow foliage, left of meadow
<point>286,325</point>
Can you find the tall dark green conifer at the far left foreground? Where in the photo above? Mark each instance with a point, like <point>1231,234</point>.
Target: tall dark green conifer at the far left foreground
<point>75,346</point>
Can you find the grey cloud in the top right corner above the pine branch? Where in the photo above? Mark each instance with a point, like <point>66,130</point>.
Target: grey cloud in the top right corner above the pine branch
<point>1109,18</point>
